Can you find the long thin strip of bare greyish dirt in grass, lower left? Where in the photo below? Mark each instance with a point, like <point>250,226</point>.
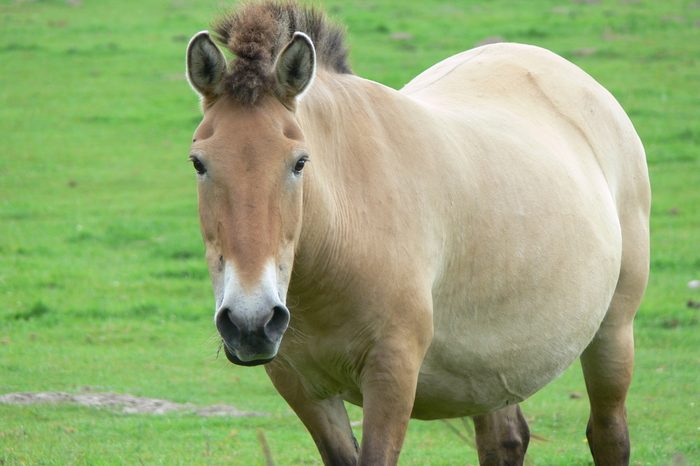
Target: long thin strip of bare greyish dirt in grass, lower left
<point>123,403</point>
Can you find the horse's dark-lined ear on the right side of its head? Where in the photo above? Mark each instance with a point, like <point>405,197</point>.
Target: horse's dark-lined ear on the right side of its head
<point>295,69</point>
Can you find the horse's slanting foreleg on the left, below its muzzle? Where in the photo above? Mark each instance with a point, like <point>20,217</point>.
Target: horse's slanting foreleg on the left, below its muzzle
<point>326,420</point>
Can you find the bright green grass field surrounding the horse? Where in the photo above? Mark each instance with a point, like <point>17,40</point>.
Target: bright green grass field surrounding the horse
<point>103,285</point>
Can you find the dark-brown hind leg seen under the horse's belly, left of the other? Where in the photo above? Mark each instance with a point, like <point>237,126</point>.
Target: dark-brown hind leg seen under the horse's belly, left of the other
<point>502,437</point>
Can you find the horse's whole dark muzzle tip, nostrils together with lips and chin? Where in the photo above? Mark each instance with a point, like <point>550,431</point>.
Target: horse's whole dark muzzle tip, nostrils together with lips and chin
<point>247,343</point>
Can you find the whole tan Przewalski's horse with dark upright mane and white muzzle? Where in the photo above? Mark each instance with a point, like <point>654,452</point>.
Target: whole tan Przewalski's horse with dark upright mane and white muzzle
<point>445,250</point>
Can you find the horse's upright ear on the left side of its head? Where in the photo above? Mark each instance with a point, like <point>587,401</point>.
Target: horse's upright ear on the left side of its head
<point>206,65</point>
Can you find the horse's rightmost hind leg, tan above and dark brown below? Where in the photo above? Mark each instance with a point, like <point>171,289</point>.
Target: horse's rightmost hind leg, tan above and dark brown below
<point>608,360</point>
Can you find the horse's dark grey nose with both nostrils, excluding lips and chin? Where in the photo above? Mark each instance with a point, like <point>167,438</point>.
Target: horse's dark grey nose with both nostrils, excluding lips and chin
<point>255,334</point>
